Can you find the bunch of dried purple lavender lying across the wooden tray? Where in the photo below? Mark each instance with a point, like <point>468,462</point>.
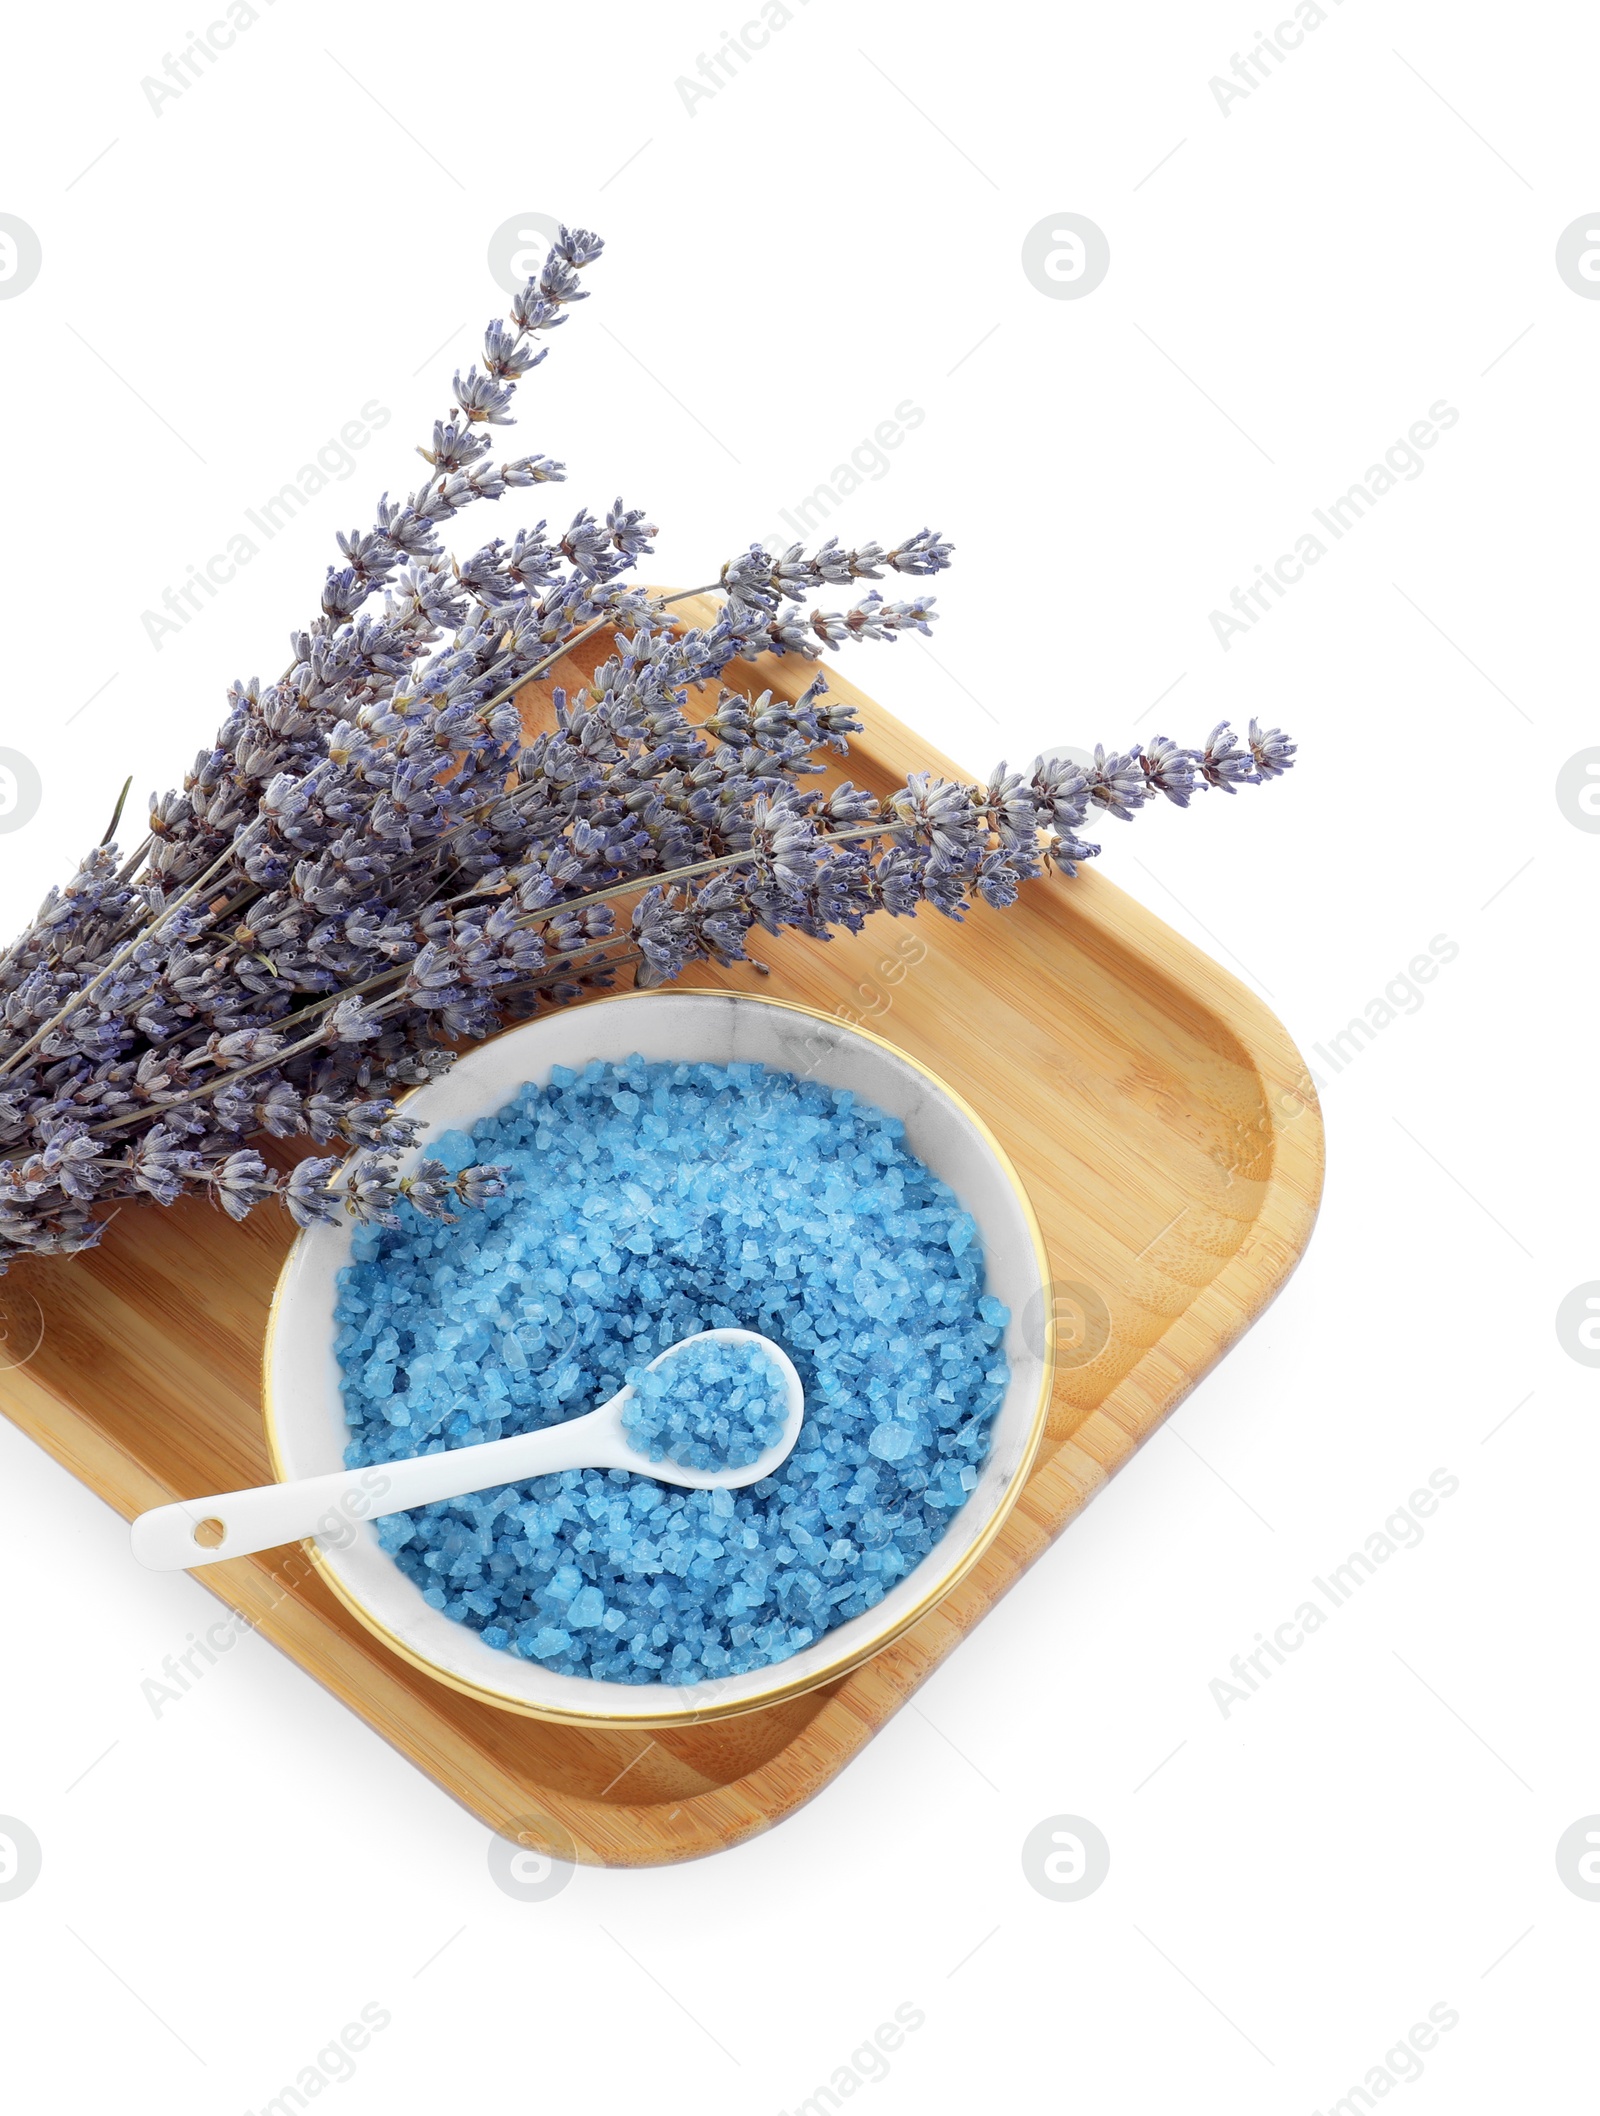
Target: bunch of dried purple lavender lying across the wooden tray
<point>369,864</point>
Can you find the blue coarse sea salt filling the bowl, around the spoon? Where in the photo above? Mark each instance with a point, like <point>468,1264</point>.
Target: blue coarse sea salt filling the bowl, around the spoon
<point>649,1203</point>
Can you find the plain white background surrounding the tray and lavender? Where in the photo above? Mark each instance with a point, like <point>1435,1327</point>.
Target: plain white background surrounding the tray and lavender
<point>1294,282</point>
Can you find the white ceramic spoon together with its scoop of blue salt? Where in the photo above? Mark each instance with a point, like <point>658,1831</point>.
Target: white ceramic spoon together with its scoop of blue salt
<point>714,1412</point>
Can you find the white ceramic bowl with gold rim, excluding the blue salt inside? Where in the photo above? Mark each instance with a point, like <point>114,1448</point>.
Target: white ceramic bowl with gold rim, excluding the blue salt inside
<point>306,1417</point>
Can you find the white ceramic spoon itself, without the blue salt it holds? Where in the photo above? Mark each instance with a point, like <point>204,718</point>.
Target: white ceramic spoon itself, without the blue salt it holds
<point>234,1525</point>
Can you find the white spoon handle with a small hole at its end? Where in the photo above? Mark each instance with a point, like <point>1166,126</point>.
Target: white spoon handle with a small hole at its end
<point>168,1539</point>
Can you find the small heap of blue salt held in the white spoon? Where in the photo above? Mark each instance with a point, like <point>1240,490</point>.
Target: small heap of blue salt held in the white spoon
<point>708,1406</point>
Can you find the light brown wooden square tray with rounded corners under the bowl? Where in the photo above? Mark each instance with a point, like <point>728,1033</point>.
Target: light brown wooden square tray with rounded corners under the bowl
<point>1171,1144</point>
